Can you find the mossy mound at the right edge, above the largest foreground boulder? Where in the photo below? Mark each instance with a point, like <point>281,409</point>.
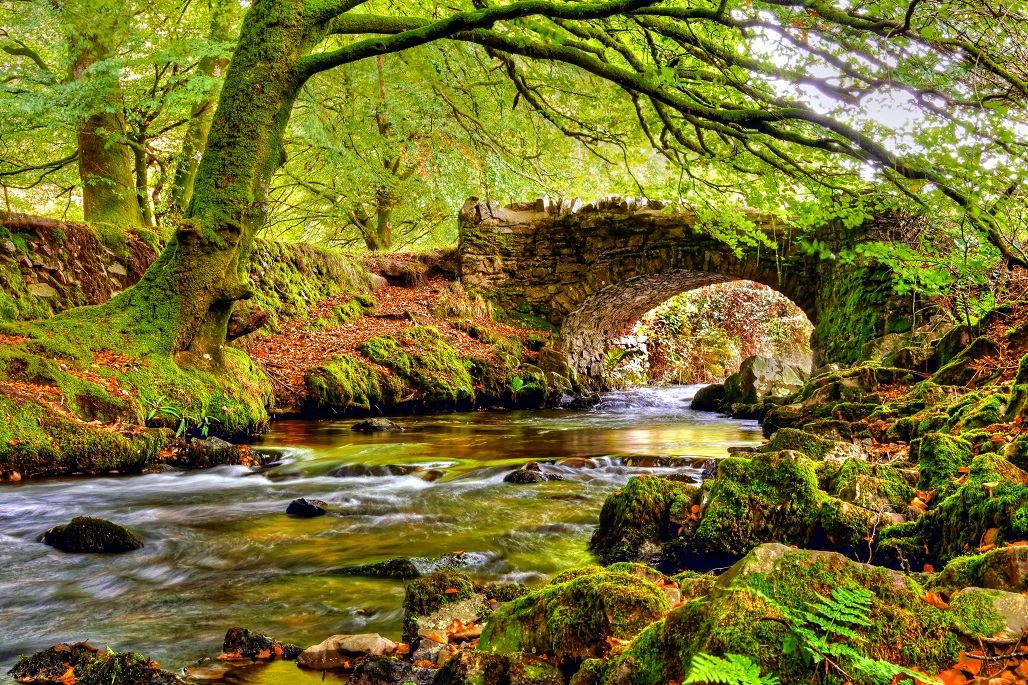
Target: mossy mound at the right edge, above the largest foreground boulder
<point>990,509</point>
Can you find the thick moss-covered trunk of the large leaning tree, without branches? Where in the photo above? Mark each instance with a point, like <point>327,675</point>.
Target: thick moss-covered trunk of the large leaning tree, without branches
<point>190,293</point>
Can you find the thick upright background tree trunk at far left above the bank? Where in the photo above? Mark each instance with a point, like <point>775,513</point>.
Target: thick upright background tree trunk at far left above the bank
<point>105,164</point>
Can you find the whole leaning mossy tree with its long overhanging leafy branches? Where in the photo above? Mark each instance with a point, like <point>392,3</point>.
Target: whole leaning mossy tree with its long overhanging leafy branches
<point>749,89</point>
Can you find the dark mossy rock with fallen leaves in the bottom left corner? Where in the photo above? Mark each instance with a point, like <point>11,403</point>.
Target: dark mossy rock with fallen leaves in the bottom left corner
<point>91,667</point>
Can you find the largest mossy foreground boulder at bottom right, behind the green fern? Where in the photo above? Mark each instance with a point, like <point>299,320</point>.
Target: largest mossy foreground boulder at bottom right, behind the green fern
<point>751,608</point>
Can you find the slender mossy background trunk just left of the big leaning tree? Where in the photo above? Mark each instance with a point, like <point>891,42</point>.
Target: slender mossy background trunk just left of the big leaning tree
<point>203,113</point>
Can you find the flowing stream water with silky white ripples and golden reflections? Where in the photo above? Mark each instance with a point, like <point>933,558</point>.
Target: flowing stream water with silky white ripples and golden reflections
<point>221,552</point>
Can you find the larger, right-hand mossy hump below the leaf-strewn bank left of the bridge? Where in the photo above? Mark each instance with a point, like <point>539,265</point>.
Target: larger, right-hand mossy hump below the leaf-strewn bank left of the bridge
<point>429,366</point>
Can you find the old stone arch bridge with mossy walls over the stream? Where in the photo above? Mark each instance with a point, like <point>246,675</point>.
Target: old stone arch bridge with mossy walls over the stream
<point>594,270</point>
